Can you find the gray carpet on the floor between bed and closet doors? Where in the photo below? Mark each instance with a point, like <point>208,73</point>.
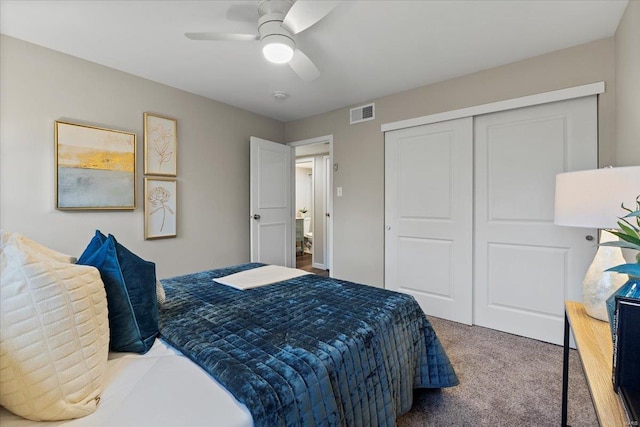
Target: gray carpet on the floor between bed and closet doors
<point>505,380</point>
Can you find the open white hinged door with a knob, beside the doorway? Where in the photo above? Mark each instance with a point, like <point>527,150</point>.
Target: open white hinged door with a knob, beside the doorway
<point>272,239</point>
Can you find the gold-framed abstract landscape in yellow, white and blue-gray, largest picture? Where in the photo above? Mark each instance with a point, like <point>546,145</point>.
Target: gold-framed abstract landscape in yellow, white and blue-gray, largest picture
<point>95,167</point>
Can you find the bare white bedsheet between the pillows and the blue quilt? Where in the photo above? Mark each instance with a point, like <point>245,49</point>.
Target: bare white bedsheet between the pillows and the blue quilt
<point>159,389</point>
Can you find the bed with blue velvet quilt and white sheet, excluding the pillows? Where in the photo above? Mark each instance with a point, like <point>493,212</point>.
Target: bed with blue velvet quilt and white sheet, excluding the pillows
<point>305,351</point>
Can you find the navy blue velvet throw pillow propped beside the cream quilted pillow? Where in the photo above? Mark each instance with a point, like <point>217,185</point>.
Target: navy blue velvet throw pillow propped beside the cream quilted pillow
<point>130,284</point>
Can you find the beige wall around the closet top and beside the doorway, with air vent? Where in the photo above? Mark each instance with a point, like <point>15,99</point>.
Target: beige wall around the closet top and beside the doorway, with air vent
<point>359,149</point>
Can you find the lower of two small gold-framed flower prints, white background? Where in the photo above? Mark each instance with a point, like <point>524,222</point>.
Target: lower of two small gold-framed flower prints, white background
<point>160,207</point>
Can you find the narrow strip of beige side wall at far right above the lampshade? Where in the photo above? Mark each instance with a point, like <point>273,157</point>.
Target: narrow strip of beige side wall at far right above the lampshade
<point>627,52</point>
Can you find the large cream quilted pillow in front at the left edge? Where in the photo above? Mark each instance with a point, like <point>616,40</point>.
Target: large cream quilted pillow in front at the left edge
<point>54,333</point>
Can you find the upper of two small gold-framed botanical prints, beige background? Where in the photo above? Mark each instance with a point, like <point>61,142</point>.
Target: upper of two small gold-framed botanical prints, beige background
<point>160,145</point>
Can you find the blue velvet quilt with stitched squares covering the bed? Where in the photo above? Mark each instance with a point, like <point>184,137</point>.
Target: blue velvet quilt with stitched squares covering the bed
<point>310,351</point>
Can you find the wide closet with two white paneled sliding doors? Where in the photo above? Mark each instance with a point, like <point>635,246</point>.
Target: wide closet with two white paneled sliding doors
<point>469,215</point>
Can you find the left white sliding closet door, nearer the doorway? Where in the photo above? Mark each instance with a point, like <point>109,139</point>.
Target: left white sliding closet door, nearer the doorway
<point>428,215</point>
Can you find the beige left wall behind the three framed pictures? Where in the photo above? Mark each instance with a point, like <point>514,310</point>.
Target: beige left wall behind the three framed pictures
<point>39,86</point>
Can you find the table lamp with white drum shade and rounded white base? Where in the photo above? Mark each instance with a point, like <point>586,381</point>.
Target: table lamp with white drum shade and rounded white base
<point>592,199</point>
